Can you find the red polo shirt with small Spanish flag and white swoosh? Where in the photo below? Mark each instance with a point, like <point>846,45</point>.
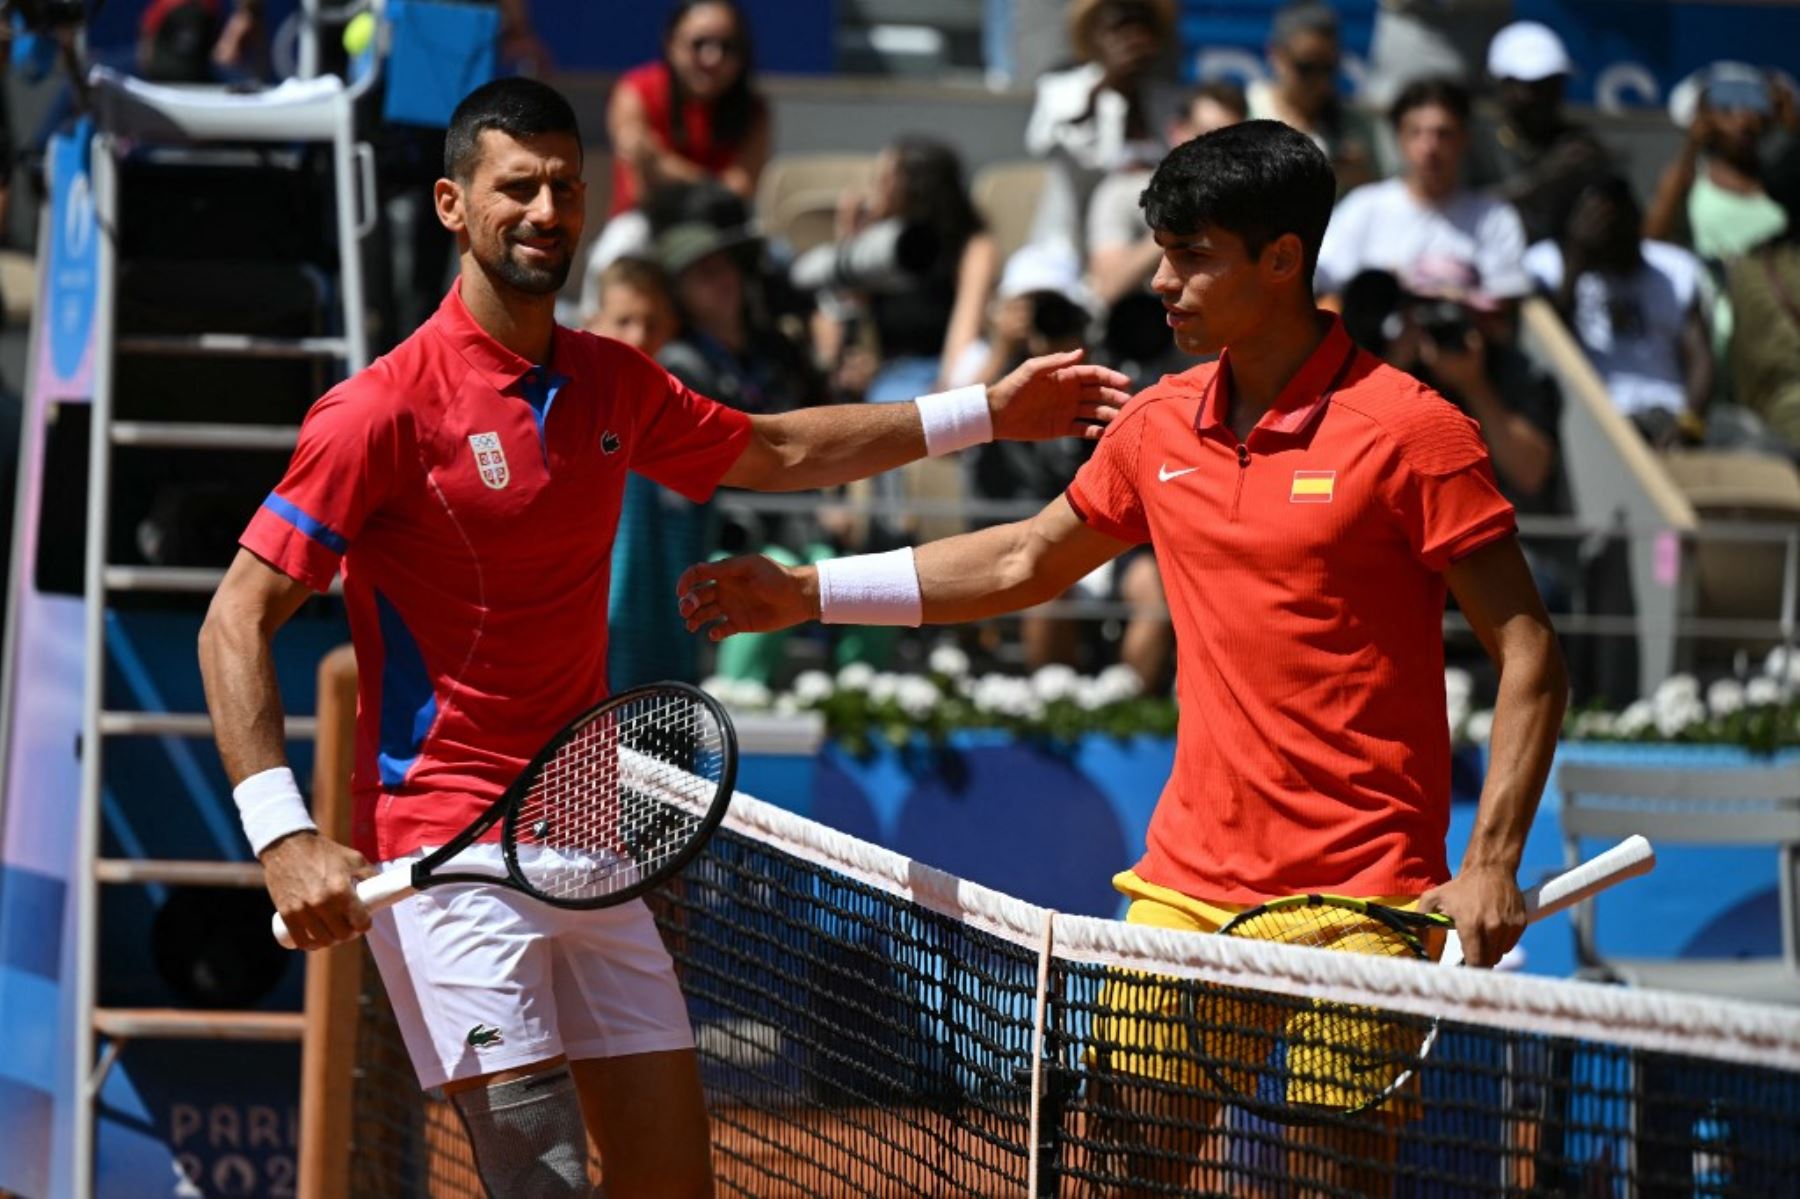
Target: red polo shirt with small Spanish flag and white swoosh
<point>1304,577</point>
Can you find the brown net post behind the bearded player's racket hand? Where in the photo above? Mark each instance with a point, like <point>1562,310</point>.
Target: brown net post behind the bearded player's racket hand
<point>334,977</point>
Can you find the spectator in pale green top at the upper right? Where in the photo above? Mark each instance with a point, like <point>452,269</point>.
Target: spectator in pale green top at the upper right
<point>1713,197</point>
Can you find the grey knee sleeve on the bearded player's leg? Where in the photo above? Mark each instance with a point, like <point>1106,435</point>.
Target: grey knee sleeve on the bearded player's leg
<point>528,1137</point>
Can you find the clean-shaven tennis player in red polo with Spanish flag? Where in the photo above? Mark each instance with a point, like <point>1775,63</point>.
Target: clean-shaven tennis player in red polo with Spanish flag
<point>1309,507</point>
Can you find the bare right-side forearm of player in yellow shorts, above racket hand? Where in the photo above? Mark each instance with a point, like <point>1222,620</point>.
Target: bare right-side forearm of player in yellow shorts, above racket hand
<point>1527,723</point>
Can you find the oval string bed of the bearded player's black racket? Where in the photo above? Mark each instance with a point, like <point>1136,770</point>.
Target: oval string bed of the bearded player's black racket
<point>620,798</point>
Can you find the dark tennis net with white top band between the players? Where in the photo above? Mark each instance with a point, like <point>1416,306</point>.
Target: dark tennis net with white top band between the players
<point>874,1027</point>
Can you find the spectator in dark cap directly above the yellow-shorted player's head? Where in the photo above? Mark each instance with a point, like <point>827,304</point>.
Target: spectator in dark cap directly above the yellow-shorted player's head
<point>1306,59</point>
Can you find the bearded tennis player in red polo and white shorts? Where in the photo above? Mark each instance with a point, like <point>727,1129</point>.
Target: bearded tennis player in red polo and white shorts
<point>469,487</point>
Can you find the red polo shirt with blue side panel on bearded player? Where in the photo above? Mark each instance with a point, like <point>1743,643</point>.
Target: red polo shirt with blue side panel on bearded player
<point>472,501</point>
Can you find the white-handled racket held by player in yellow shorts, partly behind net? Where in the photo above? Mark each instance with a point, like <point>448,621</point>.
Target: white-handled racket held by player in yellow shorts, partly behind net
<point>1344,1059</point>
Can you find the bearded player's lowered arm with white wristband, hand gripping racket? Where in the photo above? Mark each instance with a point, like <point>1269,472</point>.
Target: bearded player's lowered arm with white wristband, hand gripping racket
<point>312,881</point>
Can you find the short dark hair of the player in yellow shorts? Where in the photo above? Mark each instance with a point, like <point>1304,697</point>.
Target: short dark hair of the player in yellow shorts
<point>1257,181</point>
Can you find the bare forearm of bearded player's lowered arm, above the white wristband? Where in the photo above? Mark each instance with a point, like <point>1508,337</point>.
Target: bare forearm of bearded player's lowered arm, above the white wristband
<point>238,671</point>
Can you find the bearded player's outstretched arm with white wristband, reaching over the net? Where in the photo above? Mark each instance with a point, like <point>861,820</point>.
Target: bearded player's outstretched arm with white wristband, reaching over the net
<point>1050,397</point>
